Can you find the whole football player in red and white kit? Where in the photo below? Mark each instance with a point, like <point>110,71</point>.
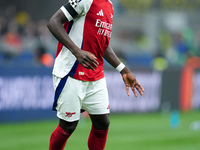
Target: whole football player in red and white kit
<point>83,29</point>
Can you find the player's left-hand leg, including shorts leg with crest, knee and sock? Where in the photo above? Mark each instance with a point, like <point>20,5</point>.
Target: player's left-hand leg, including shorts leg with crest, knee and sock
<point>68,105</point>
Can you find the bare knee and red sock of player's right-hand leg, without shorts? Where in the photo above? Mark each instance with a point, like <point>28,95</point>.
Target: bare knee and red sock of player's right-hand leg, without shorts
<point>99,131</point>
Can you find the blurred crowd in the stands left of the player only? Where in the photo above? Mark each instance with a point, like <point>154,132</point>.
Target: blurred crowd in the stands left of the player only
<point>23,39</point>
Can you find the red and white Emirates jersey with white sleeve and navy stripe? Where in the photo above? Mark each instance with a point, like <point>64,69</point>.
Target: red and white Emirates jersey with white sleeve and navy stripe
<point>90,27</point>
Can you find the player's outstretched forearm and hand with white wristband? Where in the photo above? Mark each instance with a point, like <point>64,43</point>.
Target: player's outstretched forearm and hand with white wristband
<point>129,78</point>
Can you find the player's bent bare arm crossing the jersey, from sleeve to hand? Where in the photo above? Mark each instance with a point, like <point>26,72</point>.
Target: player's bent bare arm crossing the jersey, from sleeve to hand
<point>55,25</point>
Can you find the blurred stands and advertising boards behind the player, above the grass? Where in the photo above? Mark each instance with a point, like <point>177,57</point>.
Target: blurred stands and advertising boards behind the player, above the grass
<point>159,40</point>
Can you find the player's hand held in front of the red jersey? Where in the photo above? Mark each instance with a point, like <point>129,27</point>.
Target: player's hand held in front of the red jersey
<point>87,59</point>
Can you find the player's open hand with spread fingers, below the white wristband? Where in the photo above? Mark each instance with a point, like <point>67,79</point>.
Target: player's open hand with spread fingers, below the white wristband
<point>131,82</point>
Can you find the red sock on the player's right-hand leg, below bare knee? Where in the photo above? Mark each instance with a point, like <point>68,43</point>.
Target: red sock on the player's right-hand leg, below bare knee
<point>97,139</point>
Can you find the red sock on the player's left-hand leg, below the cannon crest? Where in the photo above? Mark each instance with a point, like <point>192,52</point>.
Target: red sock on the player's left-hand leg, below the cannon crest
<point>58,139</point>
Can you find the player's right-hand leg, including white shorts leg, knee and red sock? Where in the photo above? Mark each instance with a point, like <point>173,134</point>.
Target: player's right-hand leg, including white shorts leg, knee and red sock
<point>96,104</point>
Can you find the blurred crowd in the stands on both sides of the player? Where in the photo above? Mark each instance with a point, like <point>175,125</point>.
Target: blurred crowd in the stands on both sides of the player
<point>146,33</point>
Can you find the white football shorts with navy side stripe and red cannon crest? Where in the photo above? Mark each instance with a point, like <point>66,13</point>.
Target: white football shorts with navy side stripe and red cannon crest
<point>72,95</point>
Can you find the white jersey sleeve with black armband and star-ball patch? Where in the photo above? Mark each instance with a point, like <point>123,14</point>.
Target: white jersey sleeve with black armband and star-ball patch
<point>76,8</point>
